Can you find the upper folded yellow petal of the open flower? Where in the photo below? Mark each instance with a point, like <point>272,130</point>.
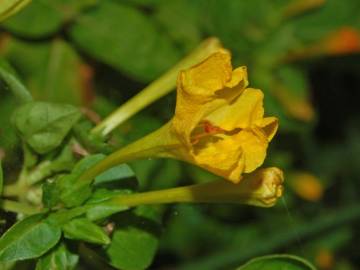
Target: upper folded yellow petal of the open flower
<point>204,88</point>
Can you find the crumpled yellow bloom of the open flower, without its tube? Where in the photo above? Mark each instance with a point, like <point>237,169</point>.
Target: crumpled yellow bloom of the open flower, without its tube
<point>218,121</point>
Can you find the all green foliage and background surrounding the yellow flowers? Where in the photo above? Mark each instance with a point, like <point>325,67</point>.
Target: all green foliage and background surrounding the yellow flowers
<point>66,64</point>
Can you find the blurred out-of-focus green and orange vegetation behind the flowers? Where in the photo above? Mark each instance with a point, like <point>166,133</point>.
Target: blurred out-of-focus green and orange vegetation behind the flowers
<point>304,55</point>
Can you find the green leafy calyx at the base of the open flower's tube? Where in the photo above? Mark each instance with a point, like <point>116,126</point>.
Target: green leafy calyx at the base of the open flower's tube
<point>73,192</point>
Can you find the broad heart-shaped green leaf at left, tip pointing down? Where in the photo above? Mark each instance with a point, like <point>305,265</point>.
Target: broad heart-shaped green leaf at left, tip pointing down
<point>44,125</point>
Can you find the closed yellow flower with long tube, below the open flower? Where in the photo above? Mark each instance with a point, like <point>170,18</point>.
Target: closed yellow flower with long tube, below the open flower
<point>261,188</point>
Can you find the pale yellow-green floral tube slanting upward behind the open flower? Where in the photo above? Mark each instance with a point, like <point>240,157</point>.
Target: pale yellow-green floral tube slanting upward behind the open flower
<point>156,89</point>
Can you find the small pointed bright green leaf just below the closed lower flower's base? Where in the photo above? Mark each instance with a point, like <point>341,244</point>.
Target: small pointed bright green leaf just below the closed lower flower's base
<point>85,230</point>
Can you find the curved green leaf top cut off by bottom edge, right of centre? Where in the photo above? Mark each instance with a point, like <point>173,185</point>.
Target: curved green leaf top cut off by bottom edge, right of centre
<point>278,262</point>
